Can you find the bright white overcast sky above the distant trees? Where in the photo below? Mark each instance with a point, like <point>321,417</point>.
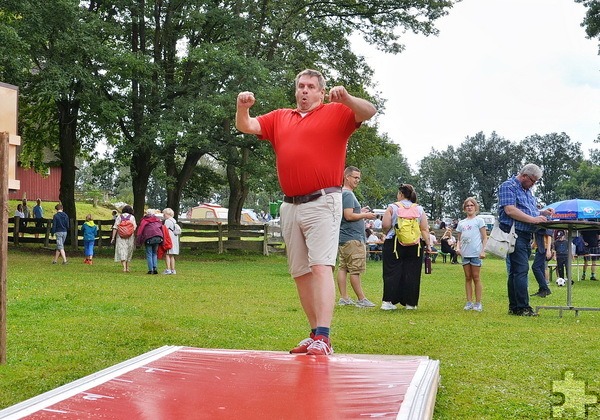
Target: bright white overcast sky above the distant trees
<point>517,67</point>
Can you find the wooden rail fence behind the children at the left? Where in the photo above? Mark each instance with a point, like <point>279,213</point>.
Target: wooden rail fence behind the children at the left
<point>218,237</point>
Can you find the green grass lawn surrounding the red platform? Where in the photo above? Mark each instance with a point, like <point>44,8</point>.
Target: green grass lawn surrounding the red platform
<point>65,322</point>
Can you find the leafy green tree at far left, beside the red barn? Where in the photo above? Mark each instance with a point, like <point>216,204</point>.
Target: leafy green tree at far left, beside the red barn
<point>48,55</point>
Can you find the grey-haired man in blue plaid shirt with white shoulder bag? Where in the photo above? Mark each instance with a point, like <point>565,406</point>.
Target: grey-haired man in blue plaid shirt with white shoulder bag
<point>517,205</point>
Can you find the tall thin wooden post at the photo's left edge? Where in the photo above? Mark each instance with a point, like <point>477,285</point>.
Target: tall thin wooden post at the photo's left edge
<point>4,138</point>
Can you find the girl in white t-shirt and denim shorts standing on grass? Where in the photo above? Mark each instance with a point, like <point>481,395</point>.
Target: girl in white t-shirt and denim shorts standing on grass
<point>472,237</point>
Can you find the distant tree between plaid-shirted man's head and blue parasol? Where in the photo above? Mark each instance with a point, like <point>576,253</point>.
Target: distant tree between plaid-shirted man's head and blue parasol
<point>557,155</point>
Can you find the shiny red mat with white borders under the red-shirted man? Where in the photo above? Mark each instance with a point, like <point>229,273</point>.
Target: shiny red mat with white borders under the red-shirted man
<point>191,383</point>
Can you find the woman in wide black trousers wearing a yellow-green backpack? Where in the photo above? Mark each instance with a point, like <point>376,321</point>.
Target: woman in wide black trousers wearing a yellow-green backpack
<point>406,241</point>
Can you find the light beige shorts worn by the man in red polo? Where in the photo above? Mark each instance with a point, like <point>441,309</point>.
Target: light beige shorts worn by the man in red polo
<point>311,232</point>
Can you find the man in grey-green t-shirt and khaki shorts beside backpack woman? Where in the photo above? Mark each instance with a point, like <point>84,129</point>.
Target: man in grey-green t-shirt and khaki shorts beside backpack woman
<point>352,249</point>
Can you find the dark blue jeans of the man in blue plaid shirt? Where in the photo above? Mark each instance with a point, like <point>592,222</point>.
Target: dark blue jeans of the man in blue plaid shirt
<point>518,269</point>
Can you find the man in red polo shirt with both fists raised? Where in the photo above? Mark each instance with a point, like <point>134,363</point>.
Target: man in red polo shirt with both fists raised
<point>310,147</point>
